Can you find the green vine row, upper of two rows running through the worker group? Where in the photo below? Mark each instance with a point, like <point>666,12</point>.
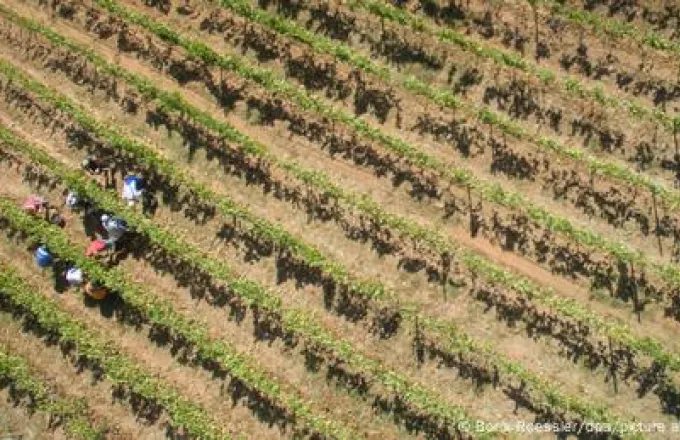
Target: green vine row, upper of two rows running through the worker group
<point>288,324</point>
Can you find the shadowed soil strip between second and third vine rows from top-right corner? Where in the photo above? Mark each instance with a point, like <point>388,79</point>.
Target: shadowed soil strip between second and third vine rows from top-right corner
<point>458,66</point>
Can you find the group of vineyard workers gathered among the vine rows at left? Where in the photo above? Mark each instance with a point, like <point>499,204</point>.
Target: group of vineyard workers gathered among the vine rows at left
<point>110,229</point>
